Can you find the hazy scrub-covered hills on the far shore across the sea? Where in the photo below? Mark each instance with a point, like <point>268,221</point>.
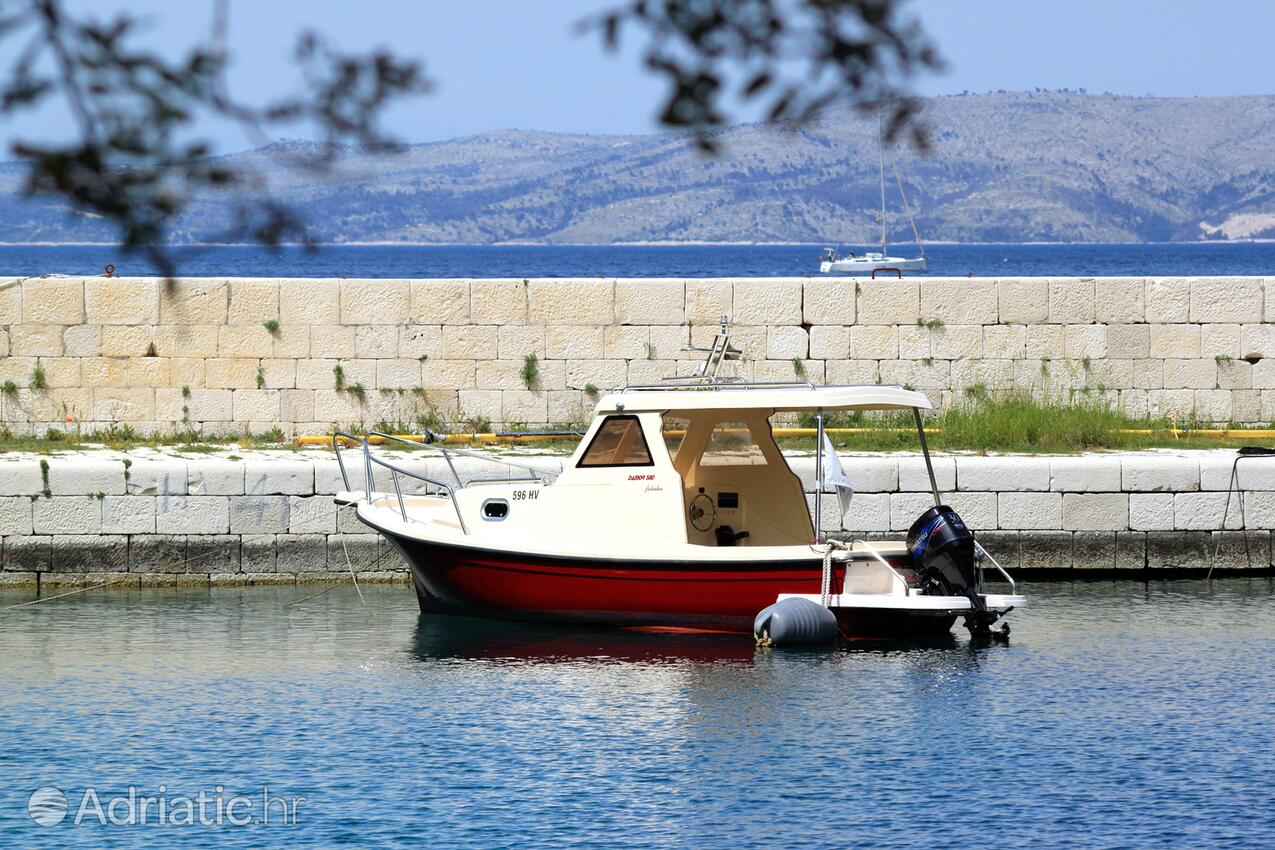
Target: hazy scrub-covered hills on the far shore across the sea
<point>1004,168</point>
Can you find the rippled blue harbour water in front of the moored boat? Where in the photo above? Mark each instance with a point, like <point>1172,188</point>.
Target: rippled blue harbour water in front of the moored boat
<point>1120,716</point>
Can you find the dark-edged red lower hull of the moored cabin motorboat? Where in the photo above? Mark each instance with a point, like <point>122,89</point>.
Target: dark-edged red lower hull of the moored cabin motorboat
<point>696,594</point>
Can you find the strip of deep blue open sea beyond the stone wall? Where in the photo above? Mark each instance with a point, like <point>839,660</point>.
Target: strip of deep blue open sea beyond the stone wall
<point>646,262</point>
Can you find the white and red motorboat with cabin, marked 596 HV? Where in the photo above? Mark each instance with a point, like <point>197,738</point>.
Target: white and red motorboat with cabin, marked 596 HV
<point>678,510</point>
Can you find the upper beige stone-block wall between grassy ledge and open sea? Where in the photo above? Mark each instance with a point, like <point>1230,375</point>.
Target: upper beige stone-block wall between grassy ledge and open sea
<point>220,356</point>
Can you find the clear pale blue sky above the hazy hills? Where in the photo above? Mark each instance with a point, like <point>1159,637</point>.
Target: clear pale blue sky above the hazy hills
<point>518,64</point>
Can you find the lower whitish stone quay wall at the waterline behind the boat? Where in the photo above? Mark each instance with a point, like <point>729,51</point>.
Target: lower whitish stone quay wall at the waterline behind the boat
<point>270,517</point>
